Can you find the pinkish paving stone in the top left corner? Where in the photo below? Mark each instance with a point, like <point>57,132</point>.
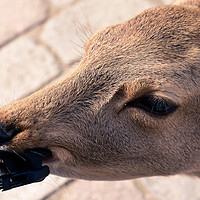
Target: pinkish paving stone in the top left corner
<point>17,16</point>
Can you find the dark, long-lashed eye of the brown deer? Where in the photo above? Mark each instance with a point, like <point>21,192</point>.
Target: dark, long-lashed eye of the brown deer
<point>154,105</point>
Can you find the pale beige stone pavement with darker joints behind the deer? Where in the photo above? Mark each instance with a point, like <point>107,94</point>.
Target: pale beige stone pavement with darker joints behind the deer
<point>41,42</point>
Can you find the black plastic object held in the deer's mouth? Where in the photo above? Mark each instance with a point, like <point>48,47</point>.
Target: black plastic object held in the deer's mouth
<point>20,169</point>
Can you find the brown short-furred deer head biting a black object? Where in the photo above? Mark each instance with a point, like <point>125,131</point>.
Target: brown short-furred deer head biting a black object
<point>130,110</point>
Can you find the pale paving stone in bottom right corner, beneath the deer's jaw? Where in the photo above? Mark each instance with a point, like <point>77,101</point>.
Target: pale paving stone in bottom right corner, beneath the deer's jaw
<point>170,188</point>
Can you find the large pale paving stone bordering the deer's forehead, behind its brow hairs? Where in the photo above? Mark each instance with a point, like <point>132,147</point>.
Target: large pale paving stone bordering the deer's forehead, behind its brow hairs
<point>69,30</point>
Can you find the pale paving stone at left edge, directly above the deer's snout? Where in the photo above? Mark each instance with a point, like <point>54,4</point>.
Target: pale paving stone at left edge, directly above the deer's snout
<point>24,67</point>
